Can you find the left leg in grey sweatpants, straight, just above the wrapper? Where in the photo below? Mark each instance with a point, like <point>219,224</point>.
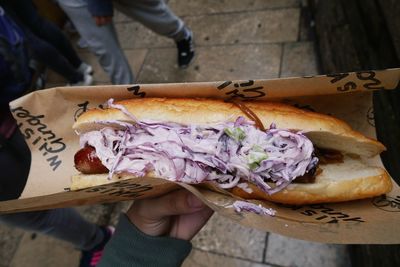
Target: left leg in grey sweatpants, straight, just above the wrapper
<point>102,41</point>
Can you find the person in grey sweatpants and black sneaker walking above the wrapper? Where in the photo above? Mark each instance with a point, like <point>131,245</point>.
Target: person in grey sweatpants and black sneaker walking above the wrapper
<point>93,21</point>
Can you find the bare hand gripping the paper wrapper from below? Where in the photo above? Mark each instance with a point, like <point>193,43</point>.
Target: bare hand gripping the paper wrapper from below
<point>178,214</point>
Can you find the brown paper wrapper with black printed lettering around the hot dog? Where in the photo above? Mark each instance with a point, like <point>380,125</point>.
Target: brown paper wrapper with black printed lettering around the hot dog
<point>46,117</point>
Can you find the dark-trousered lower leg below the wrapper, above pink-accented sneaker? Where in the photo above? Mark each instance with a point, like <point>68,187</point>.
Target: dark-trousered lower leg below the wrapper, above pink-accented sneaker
<point>64,224</point>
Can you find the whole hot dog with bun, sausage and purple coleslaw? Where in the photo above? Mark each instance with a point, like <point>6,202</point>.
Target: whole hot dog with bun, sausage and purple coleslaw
<point>294,156</point>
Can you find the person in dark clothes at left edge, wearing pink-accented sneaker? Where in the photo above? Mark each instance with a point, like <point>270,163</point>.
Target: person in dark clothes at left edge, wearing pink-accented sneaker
<point>15,156</point>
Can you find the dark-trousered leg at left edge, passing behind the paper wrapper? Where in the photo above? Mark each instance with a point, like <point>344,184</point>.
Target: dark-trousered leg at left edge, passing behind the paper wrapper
<point>65,224</point>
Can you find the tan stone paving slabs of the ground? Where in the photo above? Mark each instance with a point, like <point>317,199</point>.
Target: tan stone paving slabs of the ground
<point>235,39</point>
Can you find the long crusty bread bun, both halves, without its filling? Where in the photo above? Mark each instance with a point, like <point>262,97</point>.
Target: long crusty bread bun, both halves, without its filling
<point>352,179</point>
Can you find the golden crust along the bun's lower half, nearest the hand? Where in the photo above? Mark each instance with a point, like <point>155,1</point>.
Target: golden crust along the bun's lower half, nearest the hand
<point>296,194</point>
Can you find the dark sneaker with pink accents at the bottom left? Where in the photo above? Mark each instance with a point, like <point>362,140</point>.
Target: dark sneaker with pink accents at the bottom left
<point>90,258</point>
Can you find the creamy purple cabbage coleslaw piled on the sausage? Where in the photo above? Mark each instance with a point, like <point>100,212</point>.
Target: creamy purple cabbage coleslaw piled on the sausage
<point>225,153</point>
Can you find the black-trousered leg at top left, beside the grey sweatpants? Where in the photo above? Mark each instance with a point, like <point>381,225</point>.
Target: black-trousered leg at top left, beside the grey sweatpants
<point>46,30</point>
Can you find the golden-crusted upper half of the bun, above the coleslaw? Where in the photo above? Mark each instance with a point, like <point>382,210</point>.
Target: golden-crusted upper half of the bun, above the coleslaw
<point>325,131</point>
